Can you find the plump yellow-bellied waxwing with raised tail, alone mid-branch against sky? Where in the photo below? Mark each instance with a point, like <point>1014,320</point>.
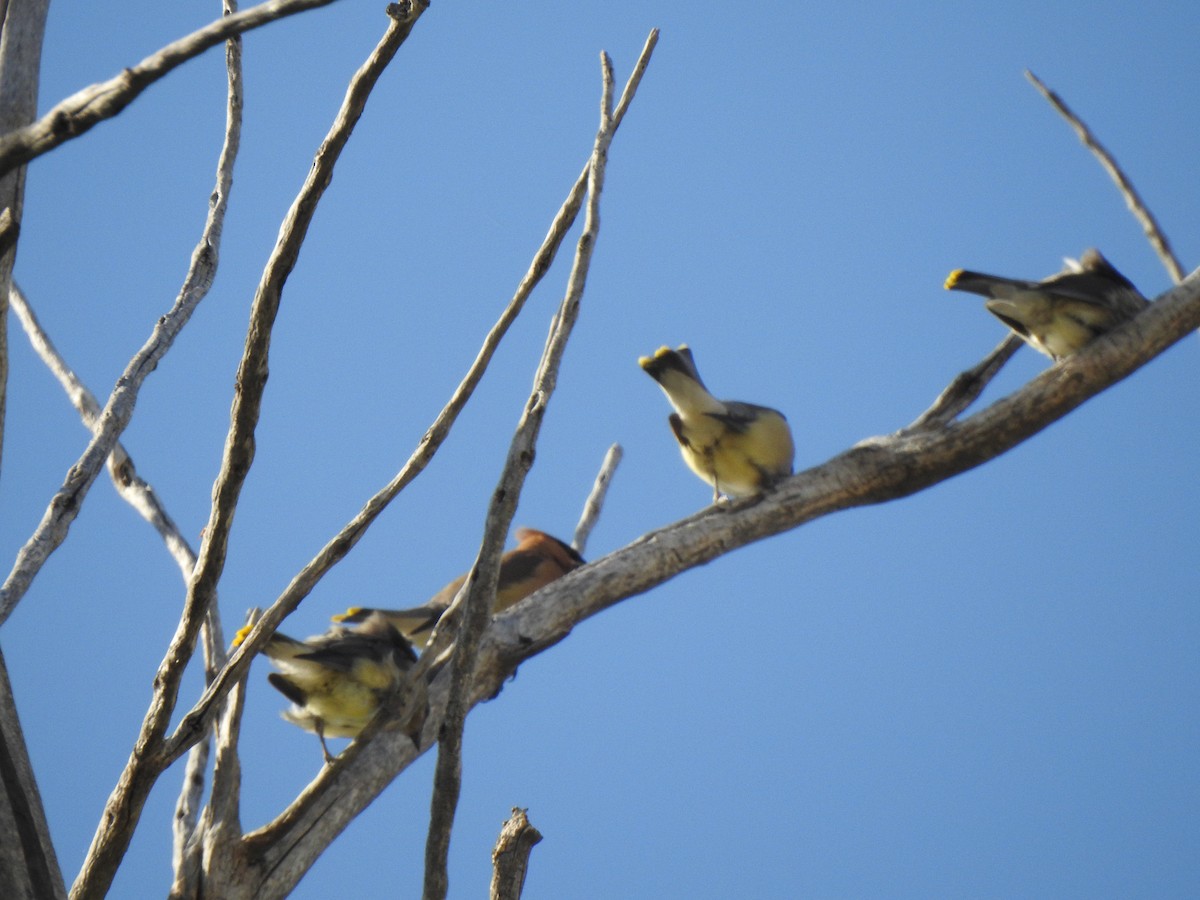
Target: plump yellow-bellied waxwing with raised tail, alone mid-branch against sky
<point>741,449</point>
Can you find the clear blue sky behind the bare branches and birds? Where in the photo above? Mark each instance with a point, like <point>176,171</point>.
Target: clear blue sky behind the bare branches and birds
<point>989,689</point>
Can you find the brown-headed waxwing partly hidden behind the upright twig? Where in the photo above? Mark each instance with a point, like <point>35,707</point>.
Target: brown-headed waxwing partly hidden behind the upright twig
<point>537,561</point>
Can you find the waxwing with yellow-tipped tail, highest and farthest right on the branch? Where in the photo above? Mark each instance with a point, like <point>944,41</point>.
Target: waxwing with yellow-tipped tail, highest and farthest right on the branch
<point>1063,314</point>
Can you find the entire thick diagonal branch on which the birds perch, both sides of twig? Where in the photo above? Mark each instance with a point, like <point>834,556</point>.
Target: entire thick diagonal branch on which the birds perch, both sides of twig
<point>877,471</point>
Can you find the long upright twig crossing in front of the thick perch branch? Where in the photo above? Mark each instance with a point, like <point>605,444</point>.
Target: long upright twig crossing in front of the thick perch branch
<point>481,585</point>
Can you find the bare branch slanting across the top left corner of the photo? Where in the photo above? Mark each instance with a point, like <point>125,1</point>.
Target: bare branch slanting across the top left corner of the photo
<point>93,105</point>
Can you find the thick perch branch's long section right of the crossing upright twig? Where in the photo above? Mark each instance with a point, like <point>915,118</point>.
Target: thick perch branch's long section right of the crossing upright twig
<point>875,471</point>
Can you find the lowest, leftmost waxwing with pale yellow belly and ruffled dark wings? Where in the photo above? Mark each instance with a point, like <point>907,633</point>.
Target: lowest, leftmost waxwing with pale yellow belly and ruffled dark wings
<point>338,681</point>
